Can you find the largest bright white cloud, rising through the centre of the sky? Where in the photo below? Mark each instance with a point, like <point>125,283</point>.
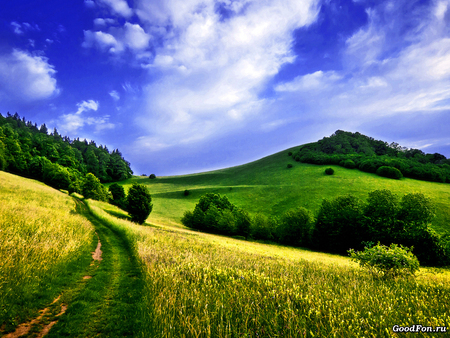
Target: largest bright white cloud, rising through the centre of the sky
<point>215,68</point>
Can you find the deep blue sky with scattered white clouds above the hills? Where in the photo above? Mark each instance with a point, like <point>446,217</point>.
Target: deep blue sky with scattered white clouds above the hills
<point>184,86</point>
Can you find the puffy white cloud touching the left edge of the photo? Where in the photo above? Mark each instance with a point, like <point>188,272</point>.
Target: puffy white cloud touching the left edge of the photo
<point>26,76</point>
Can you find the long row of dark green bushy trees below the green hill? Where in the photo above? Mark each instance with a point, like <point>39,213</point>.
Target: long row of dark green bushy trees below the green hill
<point>343,223</point>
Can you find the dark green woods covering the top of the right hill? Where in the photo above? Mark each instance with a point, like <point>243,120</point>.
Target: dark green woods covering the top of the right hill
<point>354,150</point>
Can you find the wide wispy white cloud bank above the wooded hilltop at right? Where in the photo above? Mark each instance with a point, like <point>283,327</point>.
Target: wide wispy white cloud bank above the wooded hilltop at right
<point>376,83</point>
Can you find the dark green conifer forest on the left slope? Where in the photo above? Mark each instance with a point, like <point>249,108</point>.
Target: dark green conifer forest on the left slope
<point>34,152</point>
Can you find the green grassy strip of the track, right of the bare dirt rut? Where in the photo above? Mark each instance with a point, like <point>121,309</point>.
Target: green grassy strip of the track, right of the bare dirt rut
<point>108,304</point>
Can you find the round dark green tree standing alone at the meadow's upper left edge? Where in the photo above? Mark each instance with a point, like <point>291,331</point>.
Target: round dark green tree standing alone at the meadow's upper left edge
<point>139,203</point>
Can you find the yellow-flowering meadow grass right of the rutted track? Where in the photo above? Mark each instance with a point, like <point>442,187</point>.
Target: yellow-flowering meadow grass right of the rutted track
<point>200,285</point>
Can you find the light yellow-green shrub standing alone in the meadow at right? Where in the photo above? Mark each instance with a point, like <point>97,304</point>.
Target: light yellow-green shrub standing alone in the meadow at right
<point>387,262</point>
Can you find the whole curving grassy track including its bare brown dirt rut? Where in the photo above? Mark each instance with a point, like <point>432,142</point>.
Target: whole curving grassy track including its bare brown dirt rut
<point>104,303</point>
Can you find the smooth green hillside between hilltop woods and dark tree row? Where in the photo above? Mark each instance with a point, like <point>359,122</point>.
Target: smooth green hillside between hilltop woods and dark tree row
<point>267,186</point>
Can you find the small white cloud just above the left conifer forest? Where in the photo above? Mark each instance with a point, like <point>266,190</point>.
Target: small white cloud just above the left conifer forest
<point>70,123</point>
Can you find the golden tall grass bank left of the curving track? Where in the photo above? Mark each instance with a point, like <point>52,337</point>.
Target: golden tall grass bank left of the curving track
<point>42,239</point>
